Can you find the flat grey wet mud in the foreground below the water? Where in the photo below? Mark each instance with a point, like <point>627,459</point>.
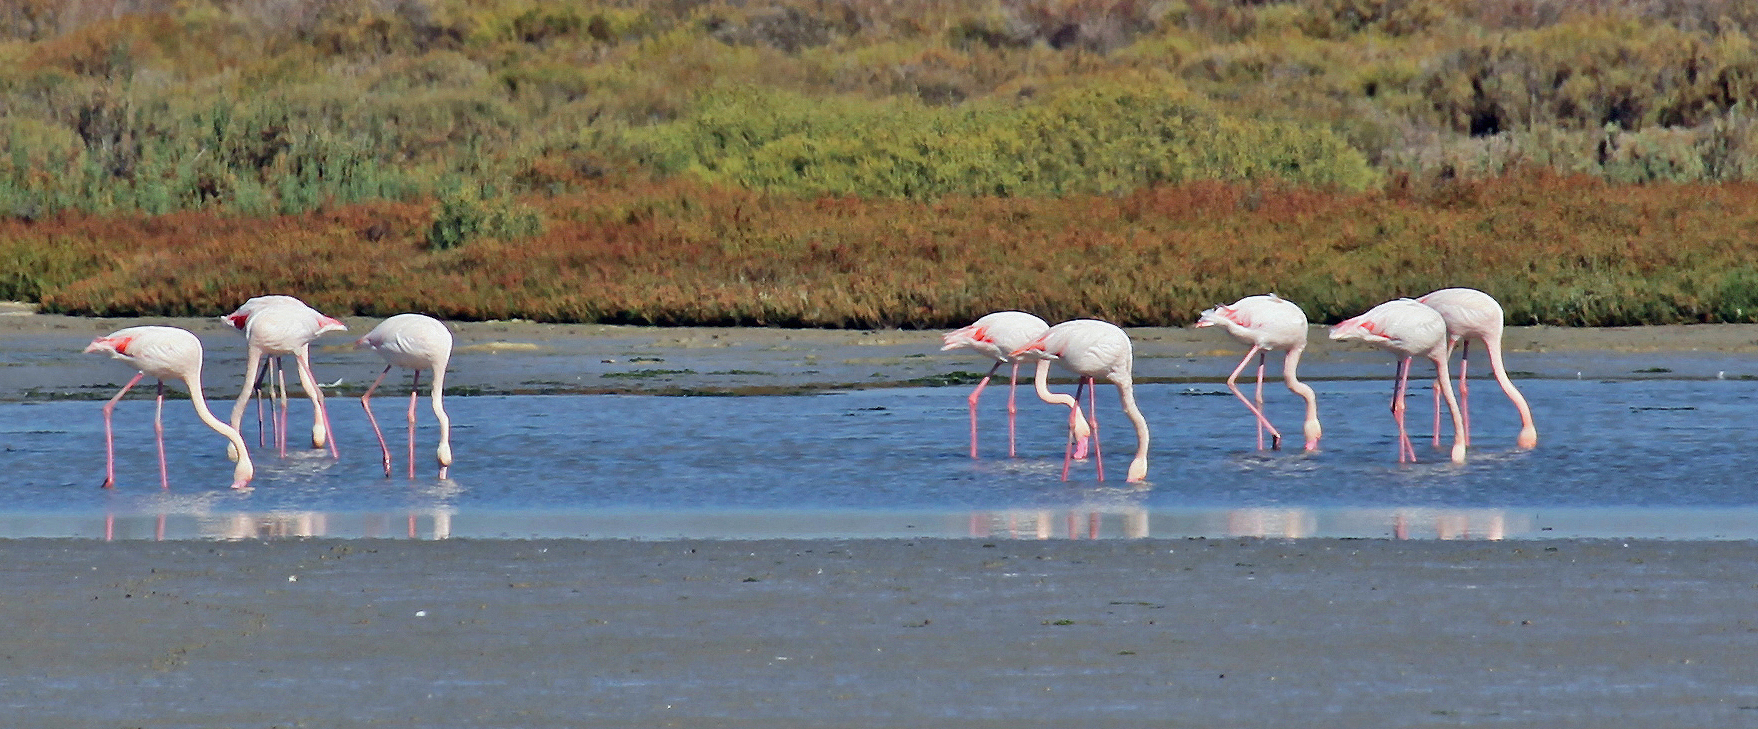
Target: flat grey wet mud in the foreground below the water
<point>948,633</point>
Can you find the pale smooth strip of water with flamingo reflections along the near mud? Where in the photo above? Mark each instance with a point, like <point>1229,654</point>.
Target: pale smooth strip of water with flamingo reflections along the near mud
<point>1082,523</point>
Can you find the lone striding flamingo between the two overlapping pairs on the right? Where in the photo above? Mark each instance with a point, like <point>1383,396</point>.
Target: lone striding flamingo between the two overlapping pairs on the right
<point>1268,324</point>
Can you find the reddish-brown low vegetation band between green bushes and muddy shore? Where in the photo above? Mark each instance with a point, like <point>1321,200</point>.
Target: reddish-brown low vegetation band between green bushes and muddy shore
<point>1553,250</point>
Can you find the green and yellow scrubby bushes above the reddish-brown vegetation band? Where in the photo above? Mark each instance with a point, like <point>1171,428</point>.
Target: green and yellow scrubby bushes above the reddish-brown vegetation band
<point>286,106</point>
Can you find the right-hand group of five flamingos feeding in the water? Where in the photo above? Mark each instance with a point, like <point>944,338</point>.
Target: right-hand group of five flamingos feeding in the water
<point>1407,328</point>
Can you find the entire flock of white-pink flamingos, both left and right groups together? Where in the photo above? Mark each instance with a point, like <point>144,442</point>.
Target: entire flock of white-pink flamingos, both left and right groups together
<point>279,326</point>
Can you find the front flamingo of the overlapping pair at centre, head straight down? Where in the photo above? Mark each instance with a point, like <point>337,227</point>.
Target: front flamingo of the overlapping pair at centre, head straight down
<point>1093,350</point>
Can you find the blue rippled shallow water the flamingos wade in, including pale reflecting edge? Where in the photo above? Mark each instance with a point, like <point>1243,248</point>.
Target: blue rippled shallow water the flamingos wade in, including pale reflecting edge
<point>1639,459</point>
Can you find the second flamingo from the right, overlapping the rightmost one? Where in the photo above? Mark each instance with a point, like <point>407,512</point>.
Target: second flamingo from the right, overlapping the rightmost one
<point>1407,329</point>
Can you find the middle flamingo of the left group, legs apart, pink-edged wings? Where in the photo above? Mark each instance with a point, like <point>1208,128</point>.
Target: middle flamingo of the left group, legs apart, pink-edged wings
<point>277,328</point>
